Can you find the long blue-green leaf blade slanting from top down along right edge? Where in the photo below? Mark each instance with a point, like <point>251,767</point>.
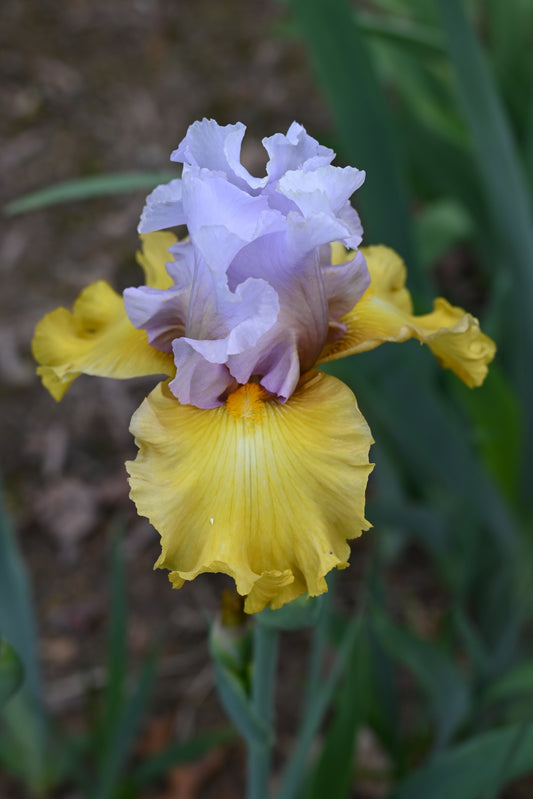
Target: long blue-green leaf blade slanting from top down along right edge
<point>505,187</point>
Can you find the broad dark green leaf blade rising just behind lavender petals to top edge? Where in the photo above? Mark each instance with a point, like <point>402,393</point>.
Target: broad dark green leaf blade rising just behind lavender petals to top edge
<point>344,68</point>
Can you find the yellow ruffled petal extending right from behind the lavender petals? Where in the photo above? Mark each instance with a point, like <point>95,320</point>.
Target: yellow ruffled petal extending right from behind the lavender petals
<point>385,313</point>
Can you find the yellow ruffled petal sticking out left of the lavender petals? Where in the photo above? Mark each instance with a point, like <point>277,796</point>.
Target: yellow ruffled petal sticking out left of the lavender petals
<point>97,338</point>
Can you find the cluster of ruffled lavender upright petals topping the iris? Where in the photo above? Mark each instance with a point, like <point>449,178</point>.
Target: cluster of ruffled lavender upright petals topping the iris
<point>254,293</point>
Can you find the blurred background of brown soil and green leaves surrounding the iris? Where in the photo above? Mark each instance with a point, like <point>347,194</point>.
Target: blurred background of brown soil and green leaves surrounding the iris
<point>434,100</point>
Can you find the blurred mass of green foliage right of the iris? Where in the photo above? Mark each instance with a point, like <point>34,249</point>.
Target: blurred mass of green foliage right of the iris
<point>450,87</point>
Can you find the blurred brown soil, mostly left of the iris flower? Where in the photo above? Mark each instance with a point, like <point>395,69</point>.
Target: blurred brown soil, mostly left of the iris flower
<point>90,87</point>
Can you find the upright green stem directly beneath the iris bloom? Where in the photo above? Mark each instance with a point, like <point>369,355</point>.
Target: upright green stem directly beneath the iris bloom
<point>263,682</point>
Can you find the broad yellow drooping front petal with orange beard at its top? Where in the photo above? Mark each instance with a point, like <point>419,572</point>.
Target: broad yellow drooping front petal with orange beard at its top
<point>264,492</point>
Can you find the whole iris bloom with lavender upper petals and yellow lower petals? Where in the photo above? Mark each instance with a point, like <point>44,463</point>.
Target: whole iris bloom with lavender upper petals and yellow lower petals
<point>251,461</point>
